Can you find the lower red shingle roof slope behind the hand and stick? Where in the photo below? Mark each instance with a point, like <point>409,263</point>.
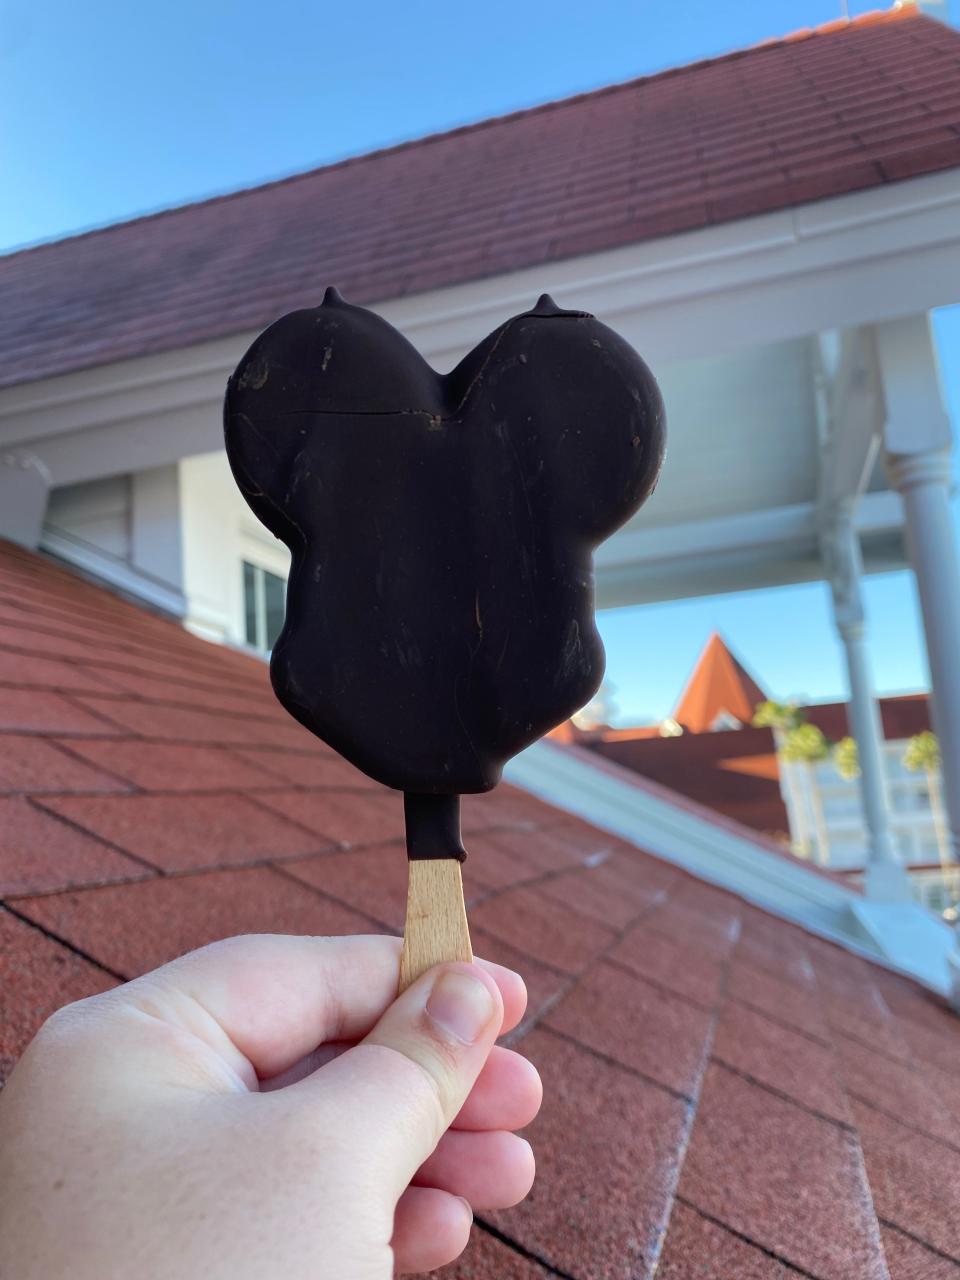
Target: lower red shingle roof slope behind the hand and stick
<point>723,1091</point>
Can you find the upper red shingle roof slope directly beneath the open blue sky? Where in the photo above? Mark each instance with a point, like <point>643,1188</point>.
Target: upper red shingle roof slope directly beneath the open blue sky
<point>844,108</point>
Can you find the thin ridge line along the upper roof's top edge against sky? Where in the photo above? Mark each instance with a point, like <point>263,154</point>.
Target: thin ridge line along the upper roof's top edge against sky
<point>899,12</point>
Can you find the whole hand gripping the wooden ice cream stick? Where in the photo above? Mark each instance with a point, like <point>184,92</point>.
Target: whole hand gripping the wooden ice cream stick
<point>266,1108</point>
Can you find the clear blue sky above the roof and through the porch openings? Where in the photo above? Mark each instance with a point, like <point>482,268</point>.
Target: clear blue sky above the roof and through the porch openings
<point>113,109</point>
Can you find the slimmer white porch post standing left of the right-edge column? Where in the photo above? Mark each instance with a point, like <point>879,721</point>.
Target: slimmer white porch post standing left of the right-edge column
<point>886,879</point>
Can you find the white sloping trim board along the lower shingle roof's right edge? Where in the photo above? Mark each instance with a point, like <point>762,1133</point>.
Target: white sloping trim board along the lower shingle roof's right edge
<point>899,936</point>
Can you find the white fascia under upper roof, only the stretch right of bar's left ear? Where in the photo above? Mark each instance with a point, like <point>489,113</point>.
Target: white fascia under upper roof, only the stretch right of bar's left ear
<point>872,255</point>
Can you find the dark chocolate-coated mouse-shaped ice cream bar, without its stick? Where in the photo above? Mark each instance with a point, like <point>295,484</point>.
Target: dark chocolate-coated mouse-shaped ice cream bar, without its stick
<point>440,609</point>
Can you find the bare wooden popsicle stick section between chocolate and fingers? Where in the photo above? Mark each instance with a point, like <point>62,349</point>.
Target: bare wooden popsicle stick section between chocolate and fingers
<point>437,921</point>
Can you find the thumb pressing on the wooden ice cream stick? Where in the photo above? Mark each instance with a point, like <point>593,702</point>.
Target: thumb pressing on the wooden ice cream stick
<point>400,1090</point>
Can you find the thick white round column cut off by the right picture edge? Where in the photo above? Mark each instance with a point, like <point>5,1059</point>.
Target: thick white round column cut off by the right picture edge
<point>925,482</point>
